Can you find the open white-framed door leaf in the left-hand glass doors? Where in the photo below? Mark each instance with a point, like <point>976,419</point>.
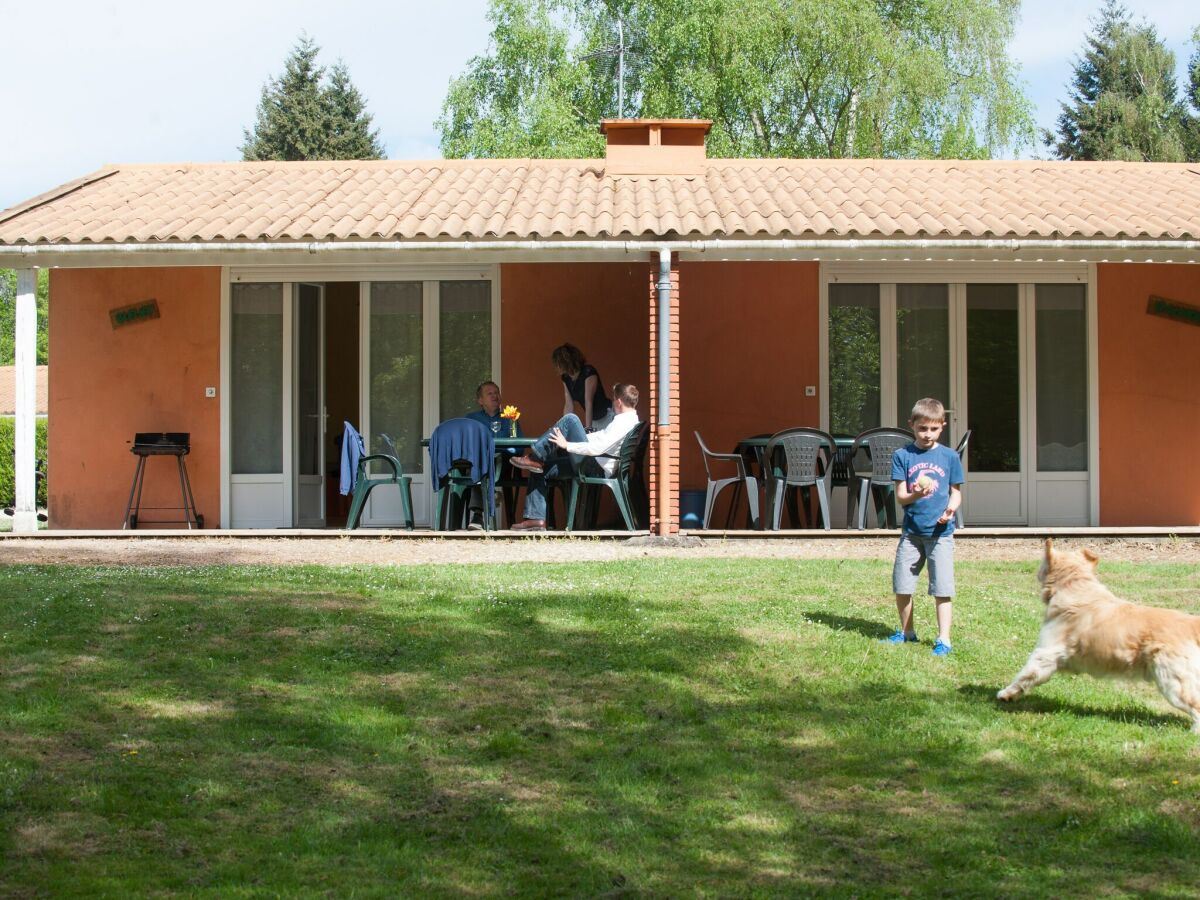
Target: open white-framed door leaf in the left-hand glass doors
<point>309,447</point>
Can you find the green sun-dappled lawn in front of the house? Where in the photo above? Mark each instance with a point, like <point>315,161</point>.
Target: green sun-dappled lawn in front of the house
<point>653,729</point>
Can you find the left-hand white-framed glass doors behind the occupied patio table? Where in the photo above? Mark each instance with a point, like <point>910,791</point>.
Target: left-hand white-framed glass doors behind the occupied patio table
<point>424,345</point>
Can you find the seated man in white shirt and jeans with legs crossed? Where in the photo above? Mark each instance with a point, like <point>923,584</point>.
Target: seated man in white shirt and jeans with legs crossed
<point>569,435</point>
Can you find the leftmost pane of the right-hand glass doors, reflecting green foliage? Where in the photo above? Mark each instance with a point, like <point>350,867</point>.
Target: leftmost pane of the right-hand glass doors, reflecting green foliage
<point>854,358</point>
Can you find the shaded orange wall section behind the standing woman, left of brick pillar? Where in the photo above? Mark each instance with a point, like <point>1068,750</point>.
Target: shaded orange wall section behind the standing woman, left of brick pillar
<point>601,308</point>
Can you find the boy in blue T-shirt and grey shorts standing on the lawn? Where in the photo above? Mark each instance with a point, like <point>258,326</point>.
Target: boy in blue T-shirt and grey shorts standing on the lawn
<point>929,485</point>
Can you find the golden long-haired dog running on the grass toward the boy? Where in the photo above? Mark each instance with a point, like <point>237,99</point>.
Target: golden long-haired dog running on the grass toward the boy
<point>1088,629</point>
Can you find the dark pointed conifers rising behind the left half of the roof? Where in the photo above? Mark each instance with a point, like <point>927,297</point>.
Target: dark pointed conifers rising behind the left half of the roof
<point>303,117</point>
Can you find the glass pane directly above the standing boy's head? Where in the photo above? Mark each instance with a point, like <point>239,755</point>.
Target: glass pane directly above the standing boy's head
<point>923,347</point>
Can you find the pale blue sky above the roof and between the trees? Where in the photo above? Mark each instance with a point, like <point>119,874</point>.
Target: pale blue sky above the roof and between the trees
<point>105,81</point>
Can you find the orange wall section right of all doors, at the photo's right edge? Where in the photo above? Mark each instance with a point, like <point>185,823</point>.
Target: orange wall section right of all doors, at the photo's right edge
<point>1150,395</point>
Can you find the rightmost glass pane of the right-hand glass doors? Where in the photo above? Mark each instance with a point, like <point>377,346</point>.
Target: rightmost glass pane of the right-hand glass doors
<point>1061,323</point>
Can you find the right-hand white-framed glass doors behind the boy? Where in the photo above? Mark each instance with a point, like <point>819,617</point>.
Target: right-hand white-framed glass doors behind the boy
<point>1011,363</point>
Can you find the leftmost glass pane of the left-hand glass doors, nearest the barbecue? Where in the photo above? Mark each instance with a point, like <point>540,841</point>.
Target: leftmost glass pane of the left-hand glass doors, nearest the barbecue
<point>256,380</point>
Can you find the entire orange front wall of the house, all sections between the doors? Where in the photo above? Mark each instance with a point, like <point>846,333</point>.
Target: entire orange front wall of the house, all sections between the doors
<point>748,349</point>
